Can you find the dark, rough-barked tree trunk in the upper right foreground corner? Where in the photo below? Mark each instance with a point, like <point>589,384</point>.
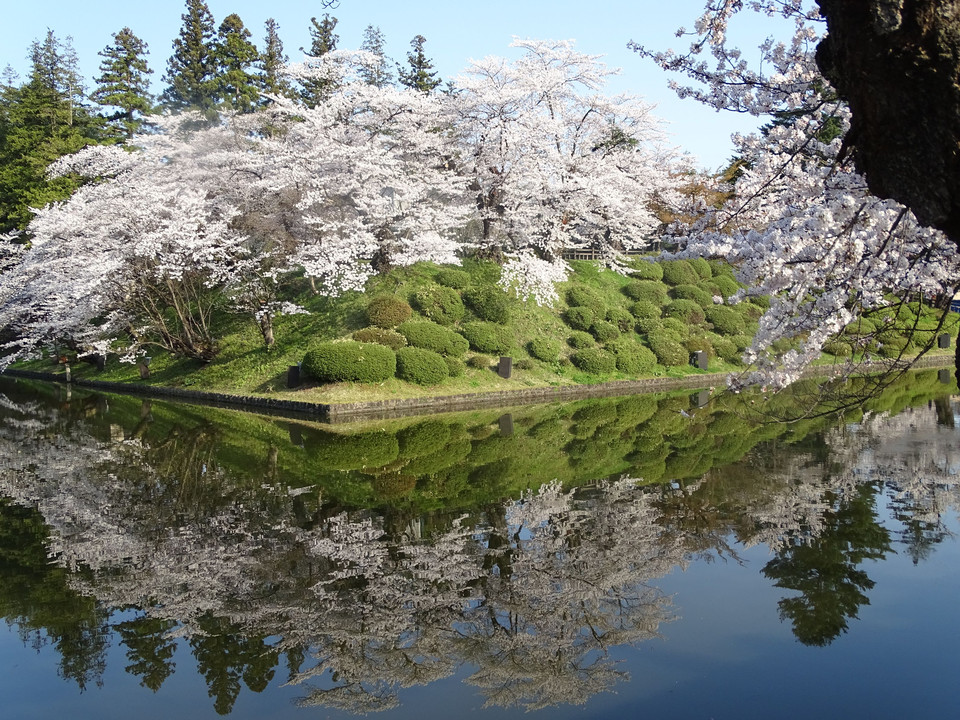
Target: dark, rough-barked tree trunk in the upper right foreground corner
<point>897,63</point>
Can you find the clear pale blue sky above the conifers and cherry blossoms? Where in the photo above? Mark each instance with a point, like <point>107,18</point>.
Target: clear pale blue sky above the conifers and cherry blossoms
<point>455,32</point>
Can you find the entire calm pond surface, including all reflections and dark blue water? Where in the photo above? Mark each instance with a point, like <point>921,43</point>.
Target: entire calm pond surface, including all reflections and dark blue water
<point>673,556</point>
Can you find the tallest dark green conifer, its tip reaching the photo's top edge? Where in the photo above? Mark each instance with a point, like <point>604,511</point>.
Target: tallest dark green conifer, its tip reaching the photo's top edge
<point>192,69</point>
